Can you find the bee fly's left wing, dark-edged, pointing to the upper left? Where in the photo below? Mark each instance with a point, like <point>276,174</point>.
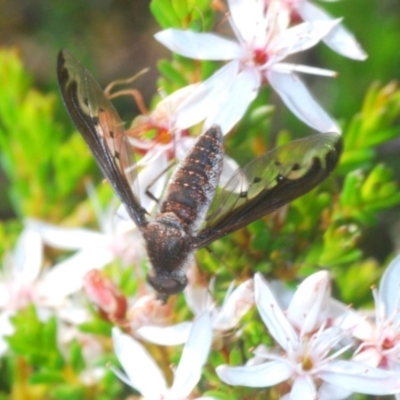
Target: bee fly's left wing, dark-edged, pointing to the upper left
<point>99,124</point>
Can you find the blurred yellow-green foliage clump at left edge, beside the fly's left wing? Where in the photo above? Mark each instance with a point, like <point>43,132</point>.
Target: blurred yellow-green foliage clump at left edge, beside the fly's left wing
<point>42,162</point>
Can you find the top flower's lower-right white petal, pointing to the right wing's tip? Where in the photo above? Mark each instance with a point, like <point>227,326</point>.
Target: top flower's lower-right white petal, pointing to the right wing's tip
<point>299,100</point>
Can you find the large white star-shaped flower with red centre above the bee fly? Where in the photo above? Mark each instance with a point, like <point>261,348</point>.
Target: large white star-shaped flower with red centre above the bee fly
<point>263,42</point>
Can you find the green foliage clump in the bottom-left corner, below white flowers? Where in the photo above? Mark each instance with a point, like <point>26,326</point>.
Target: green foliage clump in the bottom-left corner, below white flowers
<point>42,371</point>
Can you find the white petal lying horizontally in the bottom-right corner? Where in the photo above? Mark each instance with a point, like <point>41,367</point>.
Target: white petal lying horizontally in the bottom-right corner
<point>360,378</point>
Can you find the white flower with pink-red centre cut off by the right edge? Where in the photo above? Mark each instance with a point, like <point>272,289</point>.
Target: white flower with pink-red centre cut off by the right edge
<point>381,340</point>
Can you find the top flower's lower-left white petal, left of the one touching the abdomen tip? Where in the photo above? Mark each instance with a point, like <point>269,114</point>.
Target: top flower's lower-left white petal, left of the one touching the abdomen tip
<point>206,96</point>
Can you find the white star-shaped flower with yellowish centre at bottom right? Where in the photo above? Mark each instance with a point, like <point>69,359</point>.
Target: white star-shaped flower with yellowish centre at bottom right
<point>309,362</point>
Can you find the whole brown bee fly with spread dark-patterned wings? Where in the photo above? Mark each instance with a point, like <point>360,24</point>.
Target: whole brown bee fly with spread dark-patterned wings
<point>191,214</point>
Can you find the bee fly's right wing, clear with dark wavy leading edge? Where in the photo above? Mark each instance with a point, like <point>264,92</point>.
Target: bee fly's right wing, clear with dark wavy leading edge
<point>269,182</point>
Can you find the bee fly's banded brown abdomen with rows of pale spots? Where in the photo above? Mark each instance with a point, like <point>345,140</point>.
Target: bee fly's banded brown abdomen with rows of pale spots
<point>193,185</point>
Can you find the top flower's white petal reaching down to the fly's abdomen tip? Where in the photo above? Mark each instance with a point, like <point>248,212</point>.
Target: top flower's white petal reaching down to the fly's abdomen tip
<point>234,102</point>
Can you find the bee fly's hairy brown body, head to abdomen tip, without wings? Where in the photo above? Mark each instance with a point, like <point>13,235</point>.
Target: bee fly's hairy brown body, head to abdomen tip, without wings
<point>169,238</point>
